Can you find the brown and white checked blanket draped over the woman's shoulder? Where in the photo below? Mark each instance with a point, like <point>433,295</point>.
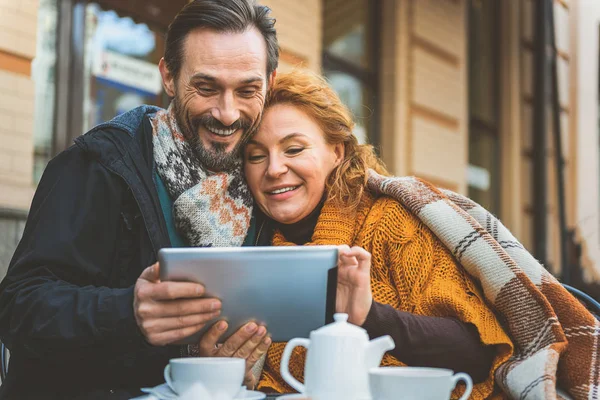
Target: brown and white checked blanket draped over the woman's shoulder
<point>555,337</point>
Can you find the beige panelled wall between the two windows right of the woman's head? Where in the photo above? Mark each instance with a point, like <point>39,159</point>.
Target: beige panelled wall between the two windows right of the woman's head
<point>424,90</point>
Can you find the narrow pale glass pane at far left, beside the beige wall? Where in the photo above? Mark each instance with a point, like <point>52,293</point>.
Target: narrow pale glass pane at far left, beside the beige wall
<point>43,75</point>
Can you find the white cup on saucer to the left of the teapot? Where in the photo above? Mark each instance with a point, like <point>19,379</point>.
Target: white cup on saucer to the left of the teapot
<point>221,377</point>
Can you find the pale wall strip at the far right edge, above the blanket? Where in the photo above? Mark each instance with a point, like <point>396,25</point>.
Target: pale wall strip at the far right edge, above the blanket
<point>587,137</point>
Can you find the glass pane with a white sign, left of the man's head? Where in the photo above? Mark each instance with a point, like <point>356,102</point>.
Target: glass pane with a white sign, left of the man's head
<point>120,65</point>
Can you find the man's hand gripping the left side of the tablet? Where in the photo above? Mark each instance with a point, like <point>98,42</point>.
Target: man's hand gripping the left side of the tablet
<point>167,312</point>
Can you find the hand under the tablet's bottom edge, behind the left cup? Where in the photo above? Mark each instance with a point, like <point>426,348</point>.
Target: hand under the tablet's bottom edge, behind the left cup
<point>250,342</point>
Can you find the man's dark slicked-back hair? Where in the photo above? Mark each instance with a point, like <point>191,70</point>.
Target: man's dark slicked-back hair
<point>231,16</point>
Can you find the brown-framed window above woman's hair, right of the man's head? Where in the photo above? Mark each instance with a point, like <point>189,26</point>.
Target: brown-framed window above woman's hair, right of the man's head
<point>350,43</point>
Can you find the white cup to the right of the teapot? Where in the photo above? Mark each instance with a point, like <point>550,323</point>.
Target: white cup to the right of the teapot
<point>415,383</point>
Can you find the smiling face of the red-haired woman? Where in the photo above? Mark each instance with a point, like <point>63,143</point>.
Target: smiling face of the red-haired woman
<point>287,163</point>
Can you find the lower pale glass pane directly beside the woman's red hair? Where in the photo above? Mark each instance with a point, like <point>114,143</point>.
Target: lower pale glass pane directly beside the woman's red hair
<point>356,97</point>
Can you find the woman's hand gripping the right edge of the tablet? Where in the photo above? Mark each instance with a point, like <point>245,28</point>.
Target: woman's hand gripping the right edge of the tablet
<point>354,295</point>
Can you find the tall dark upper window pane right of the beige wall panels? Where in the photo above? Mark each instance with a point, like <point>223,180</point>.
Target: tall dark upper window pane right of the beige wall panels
<point>483,52</point>
